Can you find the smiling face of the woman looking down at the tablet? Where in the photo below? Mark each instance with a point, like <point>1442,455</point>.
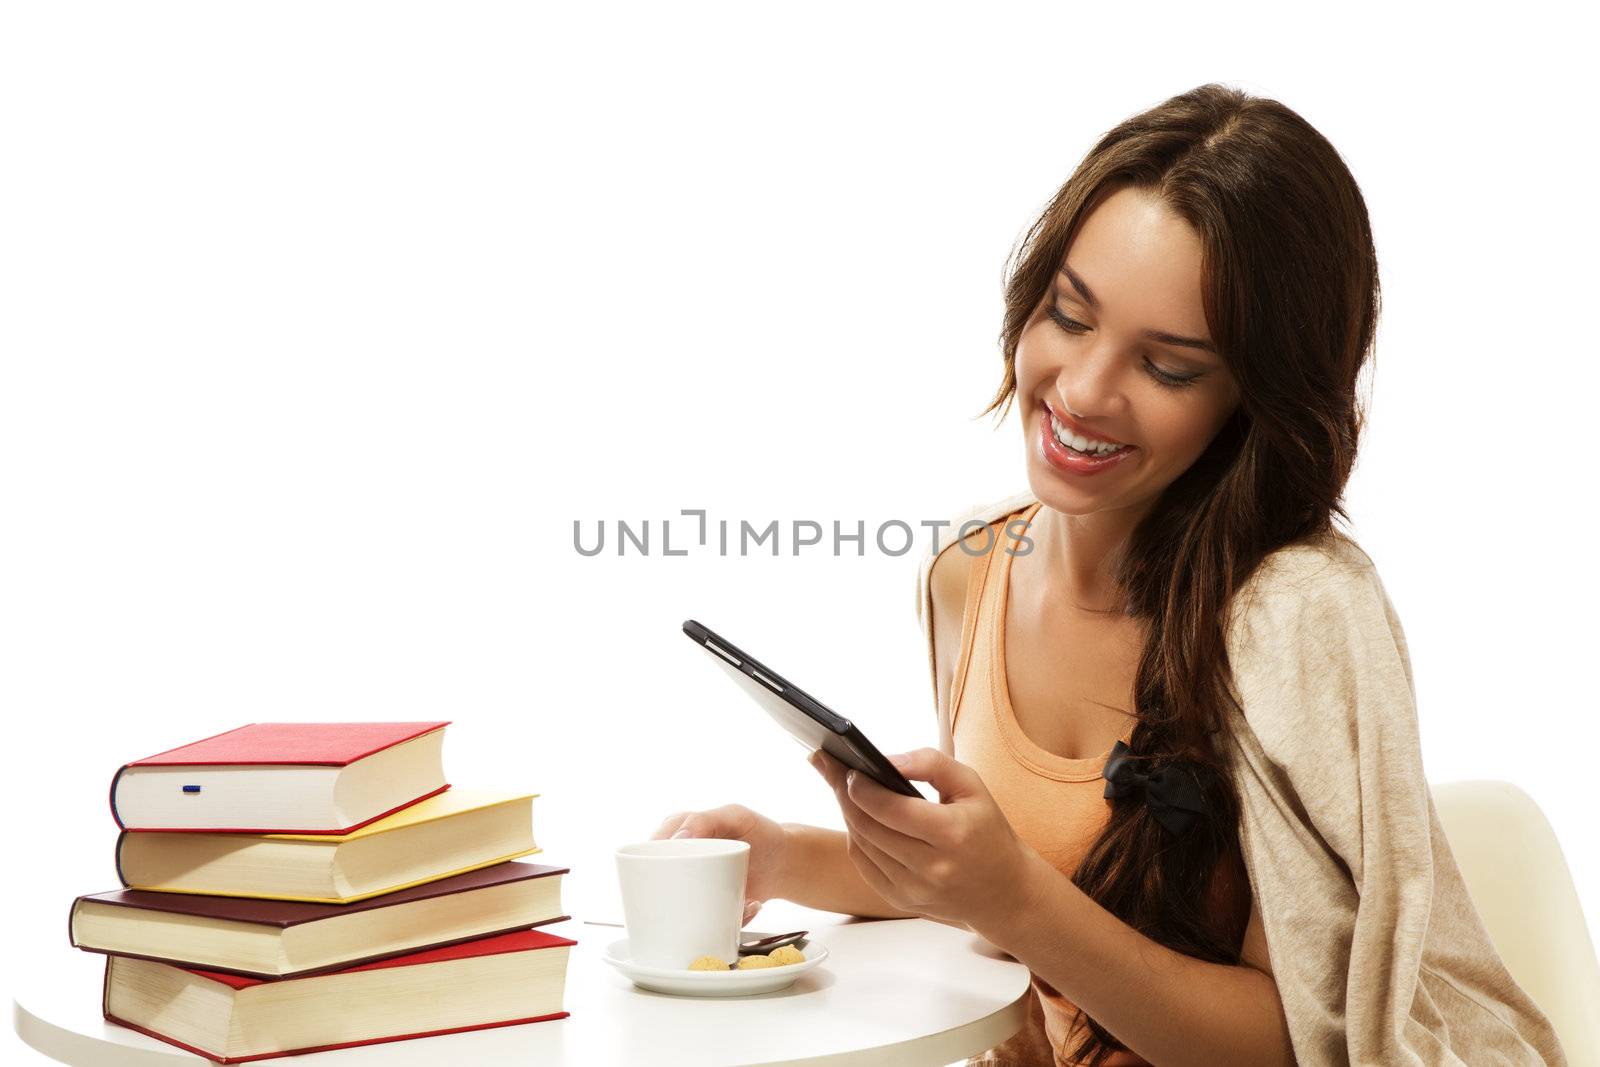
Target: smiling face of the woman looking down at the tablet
<point>1118,354</point>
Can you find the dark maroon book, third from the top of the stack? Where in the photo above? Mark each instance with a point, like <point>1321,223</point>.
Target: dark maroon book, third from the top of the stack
<point>279,940</point>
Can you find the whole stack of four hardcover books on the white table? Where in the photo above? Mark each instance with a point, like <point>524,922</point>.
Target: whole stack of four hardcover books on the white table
<point>300,887</point>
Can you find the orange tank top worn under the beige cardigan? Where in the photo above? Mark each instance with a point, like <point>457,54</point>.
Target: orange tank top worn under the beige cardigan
<point>1057,805</point>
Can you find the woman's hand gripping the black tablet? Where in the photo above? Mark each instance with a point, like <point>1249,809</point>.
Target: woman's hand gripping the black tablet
<point>956,860</point>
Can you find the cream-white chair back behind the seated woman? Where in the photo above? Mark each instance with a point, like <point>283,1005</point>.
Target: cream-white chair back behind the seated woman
<point>1524,892</point>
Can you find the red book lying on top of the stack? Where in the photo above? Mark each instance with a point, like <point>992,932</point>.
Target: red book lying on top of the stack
<point>284,778</point>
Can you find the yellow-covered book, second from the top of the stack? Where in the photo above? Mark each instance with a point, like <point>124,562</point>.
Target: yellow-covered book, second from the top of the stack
<point>457,831</point>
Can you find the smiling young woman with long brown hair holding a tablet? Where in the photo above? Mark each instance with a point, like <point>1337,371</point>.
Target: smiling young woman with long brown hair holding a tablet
<point>1178,764</point>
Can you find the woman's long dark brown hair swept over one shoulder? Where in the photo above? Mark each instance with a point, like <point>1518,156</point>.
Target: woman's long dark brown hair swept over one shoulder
<point>1292,300</point>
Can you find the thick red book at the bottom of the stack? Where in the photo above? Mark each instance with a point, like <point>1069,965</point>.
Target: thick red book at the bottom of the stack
<point>490,983</point>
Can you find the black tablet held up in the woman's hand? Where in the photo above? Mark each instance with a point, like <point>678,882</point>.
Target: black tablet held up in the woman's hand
<point>807,719</point>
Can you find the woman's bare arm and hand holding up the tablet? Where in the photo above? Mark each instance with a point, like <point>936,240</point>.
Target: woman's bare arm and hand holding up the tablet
<point>959,860</point>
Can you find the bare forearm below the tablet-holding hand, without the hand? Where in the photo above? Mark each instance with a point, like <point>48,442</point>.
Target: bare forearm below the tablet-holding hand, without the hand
<point>1167,1007</point>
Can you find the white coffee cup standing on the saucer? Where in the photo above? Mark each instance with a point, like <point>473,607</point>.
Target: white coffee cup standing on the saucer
<point>682,900</point>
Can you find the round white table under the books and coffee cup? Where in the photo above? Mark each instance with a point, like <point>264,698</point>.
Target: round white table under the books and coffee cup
<point>892,994</point>
